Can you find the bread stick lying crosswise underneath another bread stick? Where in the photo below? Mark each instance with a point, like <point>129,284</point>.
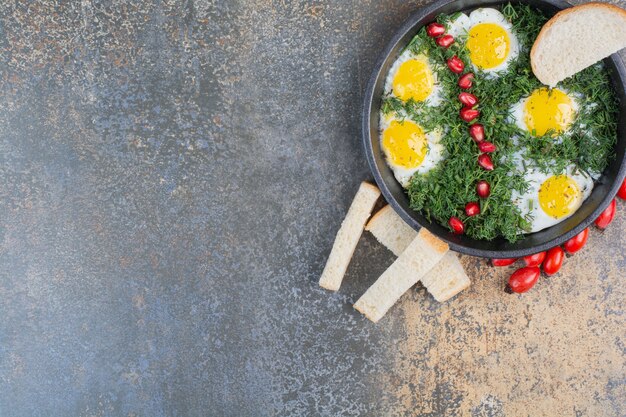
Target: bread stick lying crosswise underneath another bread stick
<point>445,280</point>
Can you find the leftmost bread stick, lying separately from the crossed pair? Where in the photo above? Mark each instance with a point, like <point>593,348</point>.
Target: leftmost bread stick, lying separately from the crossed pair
<point>348,236</point>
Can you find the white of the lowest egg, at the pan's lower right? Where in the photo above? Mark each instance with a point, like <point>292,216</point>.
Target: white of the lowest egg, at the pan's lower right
<point>528,202</point>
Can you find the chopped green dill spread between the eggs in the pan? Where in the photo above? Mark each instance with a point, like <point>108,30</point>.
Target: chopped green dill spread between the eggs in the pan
<point>443,191</point>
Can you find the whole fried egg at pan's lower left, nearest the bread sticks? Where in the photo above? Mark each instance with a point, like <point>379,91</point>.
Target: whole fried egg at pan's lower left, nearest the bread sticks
<point>409,148</point>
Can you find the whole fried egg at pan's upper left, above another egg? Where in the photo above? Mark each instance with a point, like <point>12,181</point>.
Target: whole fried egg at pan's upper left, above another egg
<point>412,77</point>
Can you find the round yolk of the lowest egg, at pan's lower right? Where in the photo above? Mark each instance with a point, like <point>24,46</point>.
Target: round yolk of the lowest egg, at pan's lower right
<point>559,196</point>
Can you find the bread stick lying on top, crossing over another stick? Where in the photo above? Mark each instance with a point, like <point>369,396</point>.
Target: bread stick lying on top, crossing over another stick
<point>419,257</point>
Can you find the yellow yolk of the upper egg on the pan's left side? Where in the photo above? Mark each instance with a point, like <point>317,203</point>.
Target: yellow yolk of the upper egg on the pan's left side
<point>414,80</point>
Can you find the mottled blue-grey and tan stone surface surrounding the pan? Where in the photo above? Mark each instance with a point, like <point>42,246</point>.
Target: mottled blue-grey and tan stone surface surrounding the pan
<point>172,177</point>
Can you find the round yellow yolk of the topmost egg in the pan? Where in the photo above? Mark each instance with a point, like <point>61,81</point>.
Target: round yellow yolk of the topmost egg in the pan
<point>488,44</point>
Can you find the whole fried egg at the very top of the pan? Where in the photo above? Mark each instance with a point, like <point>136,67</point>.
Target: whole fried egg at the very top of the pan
<point>489,38</point>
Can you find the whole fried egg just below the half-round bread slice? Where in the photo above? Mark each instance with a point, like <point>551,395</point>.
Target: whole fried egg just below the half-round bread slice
<point>545,110</point>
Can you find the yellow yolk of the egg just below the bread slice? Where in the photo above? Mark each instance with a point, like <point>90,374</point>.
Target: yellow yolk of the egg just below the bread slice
<point>548,110</point>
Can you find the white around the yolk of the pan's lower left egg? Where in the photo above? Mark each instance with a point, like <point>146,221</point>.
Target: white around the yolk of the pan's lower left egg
<point>432,158</point>
